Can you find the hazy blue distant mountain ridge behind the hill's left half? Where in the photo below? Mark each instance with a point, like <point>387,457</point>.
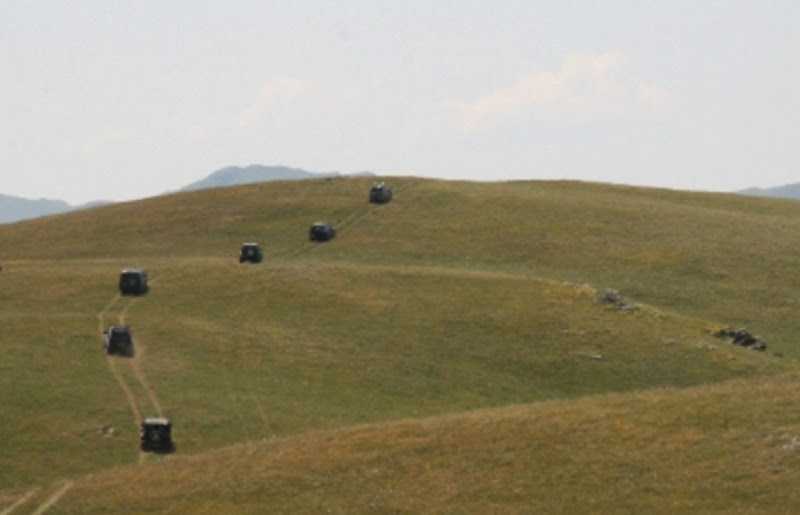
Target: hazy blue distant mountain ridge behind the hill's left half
<point>13,209</point>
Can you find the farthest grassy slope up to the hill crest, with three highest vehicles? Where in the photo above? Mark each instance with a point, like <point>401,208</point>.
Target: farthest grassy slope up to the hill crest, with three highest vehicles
<point>721,257</point>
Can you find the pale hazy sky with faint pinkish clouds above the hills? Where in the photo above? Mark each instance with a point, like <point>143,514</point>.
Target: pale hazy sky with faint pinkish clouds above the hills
<point>121,99</point>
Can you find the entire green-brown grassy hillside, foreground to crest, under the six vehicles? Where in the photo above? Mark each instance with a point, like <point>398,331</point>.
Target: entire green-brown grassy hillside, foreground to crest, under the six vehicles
<point>446,352</point>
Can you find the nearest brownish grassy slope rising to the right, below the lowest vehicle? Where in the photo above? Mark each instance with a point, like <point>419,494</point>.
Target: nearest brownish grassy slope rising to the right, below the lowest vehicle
<point>726,448</point>
